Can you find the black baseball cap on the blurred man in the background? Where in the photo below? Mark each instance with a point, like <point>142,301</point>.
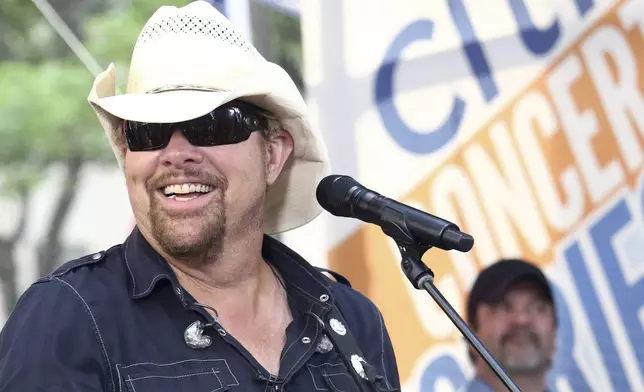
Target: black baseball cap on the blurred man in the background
<point>494,281</point>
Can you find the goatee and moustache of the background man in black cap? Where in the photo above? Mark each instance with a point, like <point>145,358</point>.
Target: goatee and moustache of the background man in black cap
<point>529,361</point>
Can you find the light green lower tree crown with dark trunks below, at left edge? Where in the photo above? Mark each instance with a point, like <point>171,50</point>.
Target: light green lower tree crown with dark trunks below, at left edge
<point>44,123</point>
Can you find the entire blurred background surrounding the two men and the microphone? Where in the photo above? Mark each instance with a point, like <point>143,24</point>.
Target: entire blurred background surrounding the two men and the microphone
<point>519,120</point>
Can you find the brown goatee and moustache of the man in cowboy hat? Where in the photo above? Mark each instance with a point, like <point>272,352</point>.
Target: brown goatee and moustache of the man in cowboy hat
<point>196,236</point>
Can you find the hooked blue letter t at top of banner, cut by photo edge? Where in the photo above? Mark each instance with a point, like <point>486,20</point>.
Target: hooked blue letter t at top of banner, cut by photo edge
<point>537,41</point>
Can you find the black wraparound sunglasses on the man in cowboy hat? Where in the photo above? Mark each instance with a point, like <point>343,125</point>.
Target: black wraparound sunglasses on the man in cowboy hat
<point>228,124</point>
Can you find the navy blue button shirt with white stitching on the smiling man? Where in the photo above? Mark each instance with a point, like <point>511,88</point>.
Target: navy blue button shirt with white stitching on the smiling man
<point>115,321</point>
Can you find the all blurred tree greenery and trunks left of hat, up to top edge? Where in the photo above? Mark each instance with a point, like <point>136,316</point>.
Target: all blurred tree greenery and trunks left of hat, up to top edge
<point>46,120</point>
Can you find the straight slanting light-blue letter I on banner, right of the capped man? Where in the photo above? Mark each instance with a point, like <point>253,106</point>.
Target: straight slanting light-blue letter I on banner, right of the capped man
<point>597,319</point>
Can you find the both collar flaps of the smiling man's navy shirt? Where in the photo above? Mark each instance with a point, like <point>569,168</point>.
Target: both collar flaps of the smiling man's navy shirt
<point>147,269</point>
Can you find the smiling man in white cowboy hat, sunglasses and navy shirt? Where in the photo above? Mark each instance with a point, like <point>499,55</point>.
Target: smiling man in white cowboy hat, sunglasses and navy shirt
<point>218,153</point>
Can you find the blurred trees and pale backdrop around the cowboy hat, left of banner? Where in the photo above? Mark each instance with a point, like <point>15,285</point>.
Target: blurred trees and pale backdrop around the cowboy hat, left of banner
<point>62,194</point>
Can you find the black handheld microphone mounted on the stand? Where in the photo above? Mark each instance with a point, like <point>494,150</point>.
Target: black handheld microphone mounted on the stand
<point>346,197</point>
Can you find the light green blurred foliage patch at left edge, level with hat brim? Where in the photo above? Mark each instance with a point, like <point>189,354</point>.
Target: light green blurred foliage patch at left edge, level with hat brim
<point>46,119</point>
